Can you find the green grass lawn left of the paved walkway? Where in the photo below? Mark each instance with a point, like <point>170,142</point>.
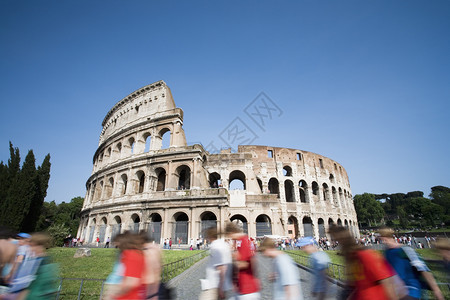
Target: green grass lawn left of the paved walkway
<point>98,266</point>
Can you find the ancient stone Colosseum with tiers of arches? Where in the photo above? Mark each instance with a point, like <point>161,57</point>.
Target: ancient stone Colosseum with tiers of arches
<point>146,177</point>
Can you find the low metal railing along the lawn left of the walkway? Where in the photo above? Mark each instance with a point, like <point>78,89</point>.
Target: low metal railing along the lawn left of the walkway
<point>168,272</point>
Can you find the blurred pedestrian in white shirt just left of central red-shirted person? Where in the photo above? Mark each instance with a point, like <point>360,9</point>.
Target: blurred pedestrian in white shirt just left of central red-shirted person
<point>218,282</point>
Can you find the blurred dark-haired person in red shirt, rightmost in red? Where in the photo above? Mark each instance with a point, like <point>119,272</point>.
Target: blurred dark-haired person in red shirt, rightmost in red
<point>369,274</point>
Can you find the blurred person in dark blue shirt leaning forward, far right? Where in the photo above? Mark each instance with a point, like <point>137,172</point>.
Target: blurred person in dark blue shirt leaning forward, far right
<point>409,267</point>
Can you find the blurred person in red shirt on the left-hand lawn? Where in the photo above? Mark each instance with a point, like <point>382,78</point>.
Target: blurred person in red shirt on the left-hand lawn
<point>132,286</point>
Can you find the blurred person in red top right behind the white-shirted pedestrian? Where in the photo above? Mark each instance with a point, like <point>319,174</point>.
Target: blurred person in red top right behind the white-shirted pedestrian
<point>245,263</point>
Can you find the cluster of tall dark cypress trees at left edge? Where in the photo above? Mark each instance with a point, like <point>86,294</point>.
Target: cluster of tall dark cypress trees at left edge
<point>22,190</point>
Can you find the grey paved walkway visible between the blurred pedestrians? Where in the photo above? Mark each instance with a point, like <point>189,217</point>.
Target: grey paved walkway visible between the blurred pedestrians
<point>187,284</point>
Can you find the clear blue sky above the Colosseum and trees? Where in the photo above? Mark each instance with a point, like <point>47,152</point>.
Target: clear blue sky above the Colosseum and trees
<point>366,83</point>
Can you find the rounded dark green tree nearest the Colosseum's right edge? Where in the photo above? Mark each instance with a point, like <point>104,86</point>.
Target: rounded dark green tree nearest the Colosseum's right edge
<point>368,208</point>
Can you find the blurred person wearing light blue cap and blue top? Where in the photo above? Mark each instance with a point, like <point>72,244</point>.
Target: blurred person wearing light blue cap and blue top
<point>318,260</point>
